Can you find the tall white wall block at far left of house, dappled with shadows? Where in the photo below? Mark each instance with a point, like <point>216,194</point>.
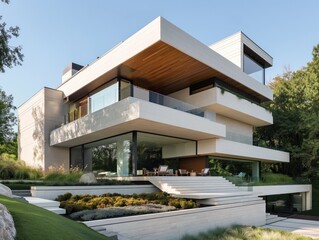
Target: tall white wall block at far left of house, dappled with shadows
<point>37,117</point>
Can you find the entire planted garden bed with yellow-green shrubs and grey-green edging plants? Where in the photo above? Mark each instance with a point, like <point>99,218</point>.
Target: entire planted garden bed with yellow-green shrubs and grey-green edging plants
<point>92,207</point>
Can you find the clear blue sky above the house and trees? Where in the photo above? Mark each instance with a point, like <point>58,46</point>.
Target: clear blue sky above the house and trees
<point>56,33</point>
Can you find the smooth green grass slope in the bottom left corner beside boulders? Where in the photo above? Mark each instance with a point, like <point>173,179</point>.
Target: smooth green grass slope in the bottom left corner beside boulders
<point>34,223</point>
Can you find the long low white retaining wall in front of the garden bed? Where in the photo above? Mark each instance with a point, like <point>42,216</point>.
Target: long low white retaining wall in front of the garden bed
<point>176,224</point>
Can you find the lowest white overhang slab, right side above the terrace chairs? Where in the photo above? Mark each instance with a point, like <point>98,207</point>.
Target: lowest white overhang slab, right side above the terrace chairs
<point>230,149</point>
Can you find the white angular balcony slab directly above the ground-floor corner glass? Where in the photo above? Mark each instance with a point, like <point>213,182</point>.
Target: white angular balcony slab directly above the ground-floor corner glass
<point>133,114</point>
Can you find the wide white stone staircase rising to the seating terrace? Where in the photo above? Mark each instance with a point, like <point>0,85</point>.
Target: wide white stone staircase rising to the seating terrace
<point>206,190</point>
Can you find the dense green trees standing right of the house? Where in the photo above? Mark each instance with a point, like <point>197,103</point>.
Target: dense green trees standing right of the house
<point>295,111</point>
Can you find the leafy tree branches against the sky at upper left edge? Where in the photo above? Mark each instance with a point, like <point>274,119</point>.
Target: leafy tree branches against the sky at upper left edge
<point>9,55</point>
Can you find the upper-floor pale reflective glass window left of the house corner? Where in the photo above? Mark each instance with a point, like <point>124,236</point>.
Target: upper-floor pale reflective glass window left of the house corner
<point>104,96</point>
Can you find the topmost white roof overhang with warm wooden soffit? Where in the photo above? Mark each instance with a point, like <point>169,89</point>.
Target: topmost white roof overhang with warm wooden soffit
<point>162,58</point>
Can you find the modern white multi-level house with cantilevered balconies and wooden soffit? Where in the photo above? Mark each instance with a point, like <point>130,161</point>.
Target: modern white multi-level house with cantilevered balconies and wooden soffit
<point>159,97</point>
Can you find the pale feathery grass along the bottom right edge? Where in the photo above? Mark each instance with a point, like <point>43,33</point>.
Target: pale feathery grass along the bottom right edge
<point>246,233</point>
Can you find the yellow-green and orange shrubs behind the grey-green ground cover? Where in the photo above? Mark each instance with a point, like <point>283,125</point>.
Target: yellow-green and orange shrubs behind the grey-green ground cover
<point>88,202</point>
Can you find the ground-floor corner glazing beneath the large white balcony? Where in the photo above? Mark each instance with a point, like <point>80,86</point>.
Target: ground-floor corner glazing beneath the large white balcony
<point>114,156</point>
